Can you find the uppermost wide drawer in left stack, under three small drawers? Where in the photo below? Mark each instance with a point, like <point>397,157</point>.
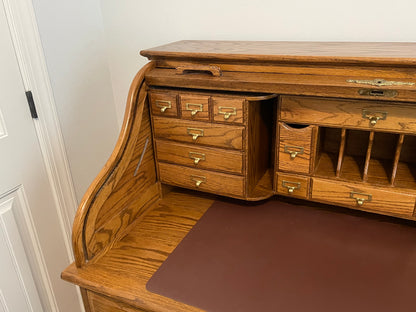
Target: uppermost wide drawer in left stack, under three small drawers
<point>199,132</point>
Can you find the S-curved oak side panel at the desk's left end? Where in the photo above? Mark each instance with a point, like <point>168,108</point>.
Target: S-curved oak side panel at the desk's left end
<point>111,202</point>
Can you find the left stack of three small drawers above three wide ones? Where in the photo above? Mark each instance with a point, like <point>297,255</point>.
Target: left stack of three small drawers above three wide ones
<point>201,140</point>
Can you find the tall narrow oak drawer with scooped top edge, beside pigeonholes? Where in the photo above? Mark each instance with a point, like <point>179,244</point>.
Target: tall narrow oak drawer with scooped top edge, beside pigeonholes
<point>295,148</point>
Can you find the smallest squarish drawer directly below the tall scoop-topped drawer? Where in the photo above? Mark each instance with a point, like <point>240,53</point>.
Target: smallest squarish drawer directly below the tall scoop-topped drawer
<point>292,185</point>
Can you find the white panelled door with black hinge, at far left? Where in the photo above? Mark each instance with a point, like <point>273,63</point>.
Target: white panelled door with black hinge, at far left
<point>32,246</point>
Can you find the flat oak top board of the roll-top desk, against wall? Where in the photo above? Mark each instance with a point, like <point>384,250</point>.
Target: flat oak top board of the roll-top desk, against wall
<point>391,53</point>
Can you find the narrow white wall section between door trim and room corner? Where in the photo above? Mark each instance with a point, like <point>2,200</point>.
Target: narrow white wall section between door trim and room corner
<point>73,43</point>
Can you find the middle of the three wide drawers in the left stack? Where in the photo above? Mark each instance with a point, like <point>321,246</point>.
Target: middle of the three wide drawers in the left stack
<point>200,157</point>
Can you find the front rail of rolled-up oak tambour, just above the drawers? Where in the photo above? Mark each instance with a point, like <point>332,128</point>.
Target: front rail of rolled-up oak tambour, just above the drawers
<point>320,84</point>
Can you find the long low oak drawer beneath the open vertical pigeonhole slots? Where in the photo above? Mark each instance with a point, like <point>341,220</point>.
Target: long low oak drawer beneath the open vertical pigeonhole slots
<point>362,197</point>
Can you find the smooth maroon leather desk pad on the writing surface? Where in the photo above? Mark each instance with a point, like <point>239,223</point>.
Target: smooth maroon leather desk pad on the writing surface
<point>277,256</point>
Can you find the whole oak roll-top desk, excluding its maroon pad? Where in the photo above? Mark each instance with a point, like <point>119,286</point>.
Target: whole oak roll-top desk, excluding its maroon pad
<point>332,123</point>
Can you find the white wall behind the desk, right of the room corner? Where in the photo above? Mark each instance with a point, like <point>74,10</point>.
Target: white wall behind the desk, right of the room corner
<point>133,25</point>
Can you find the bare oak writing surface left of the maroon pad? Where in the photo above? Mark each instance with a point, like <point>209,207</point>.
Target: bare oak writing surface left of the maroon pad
<point>124,271</point>
